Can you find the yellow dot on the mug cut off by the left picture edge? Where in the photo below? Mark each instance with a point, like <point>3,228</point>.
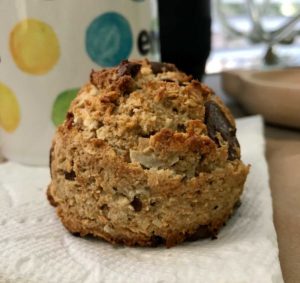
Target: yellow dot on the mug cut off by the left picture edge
<point>9,109</point>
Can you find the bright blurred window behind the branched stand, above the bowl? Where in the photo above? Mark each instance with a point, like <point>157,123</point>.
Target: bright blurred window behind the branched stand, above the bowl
<point>232,51</point>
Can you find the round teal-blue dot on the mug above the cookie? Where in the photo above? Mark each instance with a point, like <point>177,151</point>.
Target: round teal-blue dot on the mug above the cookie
<point>109,39</point>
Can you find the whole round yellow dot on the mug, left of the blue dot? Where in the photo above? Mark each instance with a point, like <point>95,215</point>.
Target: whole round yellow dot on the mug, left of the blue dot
<point>34,46</point>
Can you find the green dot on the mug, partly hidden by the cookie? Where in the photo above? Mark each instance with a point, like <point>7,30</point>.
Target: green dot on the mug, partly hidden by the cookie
<point>62,104</point>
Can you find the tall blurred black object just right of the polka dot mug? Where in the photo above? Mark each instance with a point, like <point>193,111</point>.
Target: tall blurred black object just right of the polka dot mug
<point>185,34</point>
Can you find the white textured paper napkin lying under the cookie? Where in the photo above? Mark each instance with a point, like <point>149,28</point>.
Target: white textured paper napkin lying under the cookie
<point>34,246</point>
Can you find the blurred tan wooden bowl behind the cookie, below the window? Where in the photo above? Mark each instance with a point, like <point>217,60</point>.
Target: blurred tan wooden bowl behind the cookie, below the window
<point>274,94</point>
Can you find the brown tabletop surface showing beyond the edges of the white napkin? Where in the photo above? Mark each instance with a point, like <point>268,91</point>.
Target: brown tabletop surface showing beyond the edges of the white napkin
<point>283,156</point>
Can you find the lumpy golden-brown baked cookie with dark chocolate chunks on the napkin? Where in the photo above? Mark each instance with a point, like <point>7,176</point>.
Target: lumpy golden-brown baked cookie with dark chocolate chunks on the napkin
<point>146,155</point>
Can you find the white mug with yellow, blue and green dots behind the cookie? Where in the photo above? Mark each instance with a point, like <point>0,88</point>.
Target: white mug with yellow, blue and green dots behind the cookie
<point>47,50</point>
